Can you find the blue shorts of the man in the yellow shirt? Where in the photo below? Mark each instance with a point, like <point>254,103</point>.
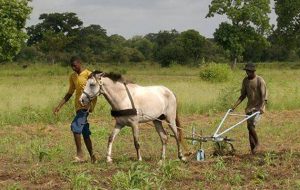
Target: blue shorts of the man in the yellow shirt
<point>80,125</point>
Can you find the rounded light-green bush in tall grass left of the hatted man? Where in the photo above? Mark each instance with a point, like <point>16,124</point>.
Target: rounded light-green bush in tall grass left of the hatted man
<point>216,73</point>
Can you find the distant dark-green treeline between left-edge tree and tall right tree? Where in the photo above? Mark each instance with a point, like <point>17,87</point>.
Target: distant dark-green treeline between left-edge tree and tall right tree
<point>60,35</point>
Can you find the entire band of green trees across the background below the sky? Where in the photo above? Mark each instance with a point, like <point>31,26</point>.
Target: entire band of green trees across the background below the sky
<point>246,36</point>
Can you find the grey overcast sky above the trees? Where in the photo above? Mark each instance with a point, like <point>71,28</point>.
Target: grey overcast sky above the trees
<point>136,17</point>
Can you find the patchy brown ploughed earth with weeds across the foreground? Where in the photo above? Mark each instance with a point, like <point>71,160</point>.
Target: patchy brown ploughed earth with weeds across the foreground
<point>39,157</point>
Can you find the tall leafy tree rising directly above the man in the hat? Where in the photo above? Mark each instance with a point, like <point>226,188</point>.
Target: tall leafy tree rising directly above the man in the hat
<point>248,17</point>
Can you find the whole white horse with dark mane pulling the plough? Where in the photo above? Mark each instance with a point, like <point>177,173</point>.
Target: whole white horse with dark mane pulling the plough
<point>133,104</point>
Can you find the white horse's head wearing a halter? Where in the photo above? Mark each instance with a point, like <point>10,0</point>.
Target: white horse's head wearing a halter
<point>93,87</point>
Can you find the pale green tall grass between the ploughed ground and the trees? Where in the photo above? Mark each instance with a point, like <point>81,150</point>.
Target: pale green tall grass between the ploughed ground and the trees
<point>29,95</point>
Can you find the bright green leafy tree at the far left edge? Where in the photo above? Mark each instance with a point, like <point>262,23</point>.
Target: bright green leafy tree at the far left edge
<point>13,15</point>
